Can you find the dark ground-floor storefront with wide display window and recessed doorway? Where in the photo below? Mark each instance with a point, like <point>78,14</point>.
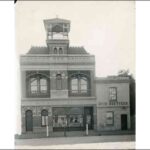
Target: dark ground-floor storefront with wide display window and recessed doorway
<point>72,118</point>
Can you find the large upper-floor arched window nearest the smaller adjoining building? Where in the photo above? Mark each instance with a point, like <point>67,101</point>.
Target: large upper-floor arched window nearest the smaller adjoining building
<point>79,84</point>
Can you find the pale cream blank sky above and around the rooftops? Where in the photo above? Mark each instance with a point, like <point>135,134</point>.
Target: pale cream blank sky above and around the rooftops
<point>106,29</point>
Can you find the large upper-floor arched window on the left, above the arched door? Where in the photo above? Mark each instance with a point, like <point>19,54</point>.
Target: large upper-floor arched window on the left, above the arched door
<point>38,85</point>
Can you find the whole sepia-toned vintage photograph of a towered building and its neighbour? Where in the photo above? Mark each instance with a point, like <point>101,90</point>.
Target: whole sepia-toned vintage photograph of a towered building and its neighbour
<point>76,74</point>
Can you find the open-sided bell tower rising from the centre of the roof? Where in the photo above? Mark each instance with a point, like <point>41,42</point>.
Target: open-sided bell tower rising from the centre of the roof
<point>57,31</point>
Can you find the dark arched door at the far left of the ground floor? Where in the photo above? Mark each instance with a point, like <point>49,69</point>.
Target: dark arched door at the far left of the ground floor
<point>29,120</point>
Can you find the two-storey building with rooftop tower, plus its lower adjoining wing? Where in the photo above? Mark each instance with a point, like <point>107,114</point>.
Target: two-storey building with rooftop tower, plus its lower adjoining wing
<point>59,88</point>
